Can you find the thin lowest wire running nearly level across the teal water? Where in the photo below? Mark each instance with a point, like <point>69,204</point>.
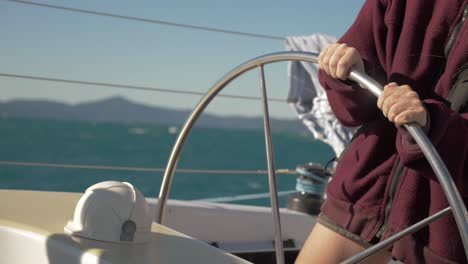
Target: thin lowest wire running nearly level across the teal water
<point>146,169</point>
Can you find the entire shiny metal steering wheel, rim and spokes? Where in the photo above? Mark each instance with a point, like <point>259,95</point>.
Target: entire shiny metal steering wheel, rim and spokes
<point>456,203</point>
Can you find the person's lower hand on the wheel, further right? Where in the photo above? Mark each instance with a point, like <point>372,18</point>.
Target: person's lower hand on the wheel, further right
<point>401,105</point>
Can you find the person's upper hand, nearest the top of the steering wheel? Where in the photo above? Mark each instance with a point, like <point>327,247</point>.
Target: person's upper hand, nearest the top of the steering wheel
<point>338,59</point>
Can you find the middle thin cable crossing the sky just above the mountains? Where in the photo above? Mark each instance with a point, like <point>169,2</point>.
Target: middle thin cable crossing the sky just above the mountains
<point>128,86</point>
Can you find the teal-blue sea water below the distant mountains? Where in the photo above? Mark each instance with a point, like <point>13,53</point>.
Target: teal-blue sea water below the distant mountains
<point>143,145</point>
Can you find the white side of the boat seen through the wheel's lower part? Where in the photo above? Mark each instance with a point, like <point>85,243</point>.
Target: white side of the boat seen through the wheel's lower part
<point>235,228</point>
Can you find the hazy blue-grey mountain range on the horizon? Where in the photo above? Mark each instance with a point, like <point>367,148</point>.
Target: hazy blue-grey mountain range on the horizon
<point>117,109</point>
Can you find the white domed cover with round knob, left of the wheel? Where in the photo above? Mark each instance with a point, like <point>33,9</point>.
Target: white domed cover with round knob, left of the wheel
<point>112,211</point>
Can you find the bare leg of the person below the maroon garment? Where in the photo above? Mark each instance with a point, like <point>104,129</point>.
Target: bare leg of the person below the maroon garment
<point>326,246</point>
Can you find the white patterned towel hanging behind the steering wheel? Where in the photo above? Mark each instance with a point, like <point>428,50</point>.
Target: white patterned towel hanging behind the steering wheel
<point>308,98</point>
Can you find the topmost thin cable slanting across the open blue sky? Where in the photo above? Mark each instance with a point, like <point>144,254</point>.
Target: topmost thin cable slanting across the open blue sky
<point>147,20</point>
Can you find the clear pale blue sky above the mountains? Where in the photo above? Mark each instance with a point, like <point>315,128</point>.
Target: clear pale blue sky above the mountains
<point>52,43</point>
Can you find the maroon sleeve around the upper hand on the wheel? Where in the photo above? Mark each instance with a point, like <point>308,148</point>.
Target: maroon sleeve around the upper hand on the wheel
<point>353,105</point>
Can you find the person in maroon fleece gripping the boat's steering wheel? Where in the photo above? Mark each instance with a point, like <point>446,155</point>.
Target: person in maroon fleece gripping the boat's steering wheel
<point>383,183</point>
